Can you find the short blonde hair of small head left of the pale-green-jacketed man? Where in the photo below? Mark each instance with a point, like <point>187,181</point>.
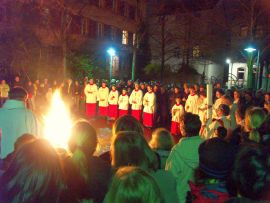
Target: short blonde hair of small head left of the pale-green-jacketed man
<point>161,139</point>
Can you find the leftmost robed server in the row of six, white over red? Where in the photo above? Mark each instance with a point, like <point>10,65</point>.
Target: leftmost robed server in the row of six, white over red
<point>90,92</point>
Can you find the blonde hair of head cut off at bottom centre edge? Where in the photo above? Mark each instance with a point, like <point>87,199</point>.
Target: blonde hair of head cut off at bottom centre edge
<point>133,184</point>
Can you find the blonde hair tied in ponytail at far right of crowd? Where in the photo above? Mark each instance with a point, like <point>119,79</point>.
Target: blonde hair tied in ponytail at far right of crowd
<point>254,118</point>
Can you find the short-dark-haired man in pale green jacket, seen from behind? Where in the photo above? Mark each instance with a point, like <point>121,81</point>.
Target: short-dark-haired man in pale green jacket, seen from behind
<point>184,158</point>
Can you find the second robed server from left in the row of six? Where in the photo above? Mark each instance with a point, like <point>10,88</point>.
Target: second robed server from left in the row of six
<point>103,95</point>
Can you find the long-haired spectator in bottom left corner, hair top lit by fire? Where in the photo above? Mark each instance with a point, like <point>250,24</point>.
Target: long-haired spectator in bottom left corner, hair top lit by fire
<point>34,175</point>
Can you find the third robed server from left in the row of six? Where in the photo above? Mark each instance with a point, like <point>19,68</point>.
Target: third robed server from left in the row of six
<point>113,103</point>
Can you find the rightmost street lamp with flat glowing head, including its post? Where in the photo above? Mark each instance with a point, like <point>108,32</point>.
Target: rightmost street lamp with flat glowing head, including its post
<point>250,51</point>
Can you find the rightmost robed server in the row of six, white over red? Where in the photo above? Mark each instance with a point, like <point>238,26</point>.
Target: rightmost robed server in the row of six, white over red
<point>149,107</point>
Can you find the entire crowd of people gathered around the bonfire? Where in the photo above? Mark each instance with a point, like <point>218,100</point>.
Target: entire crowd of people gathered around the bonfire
<point>222,158</point>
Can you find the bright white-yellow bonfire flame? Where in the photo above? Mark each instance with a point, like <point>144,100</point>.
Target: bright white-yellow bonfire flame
<point>57,122</point>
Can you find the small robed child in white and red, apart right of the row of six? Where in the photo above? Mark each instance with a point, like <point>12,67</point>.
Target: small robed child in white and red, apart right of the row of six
<point>177,111</point>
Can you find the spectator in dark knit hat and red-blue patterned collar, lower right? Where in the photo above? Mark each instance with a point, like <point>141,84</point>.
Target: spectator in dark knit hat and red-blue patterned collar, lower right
<point>216,158</point>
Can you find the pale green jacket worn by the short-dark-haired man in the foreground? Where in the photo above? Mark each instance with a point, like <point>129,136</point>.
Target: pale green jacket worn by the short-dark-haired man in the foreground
<point>182,162</point>
